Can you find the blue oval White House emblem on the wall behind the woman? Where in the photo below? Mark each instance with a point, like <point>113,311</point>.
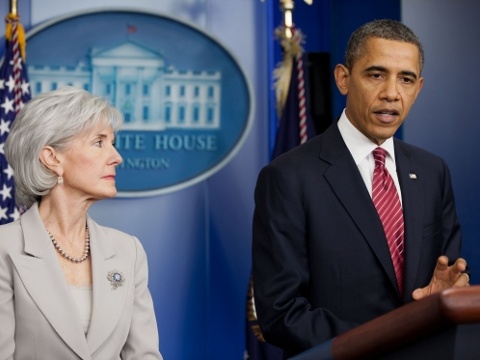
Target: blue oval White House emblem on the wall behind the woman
<point>185,100</point>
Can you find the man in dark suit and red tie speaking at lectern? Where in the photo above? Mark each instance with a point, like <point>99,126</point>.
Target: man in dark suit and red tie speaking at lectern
<point>321,261</point>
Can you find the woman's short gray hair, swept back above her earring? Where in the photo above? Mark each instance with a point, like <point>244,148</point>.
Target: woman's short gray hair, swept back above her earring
<point>51,119</point>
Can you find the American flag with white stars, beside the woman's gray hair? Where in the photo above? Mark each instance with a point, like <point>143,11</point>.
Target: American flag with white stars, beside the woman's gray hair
<point>14,92</point>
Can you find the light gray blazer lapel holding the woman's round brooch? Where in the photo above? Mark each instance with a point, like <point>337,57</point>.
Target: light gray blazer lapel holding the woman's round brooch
<point>108,301</point>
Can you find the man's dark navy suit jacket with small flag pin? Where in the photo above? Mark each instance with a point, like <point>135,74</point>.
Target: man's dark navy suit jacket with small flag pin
<point>321,263</point>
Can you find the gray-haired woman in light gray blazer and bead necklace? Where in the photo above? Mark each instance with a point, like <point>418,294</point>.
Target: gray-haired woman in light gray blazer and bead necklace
<point>70,288</point>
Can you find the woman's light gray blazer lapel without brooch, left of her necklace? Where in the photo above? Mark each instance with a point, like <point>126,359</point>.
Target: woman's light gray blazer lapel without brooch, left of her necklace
<point>43,278</point>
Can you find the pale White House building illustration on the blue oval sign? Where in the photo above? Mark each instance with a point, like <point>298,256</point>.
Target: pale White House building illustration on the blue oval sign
<point>136,79</point>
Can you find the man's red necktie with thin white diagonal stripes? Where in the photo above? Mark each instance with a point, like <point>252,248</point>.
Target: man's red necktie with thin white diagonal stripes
<point>386,201</point>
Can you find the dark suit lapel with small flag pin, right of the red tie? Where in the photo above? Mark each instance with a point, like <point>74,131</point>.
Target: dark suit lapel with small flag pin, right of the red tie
<point>412,200</point>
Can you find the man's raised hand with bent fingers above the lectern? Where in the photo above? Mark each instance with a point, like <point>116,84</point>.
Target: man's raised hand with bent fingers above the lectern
<point>444,277</point>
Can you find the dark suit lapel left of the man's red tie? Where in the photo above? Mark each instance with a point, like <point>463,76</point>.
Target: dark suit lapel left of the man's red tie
<point>347,183</point>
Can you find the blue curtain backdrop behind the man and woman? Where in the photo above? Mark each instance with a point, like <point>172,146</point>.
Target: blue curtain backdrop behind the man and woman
<point>198,239</point>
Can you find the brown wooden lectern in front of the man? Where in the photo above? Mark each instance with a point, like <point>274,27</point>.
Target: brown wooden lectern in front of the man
<point>443,326</point>
